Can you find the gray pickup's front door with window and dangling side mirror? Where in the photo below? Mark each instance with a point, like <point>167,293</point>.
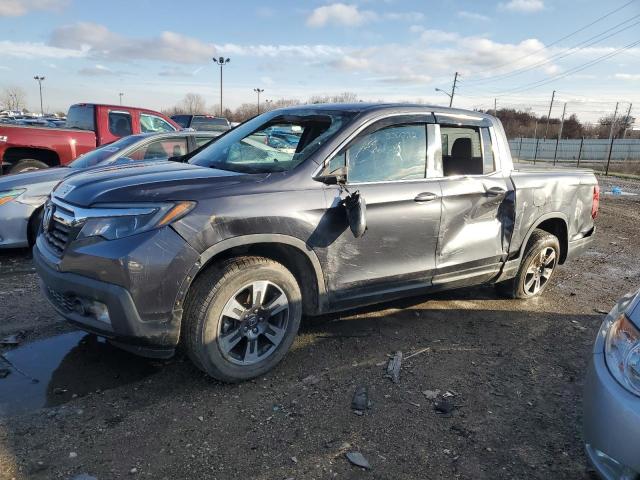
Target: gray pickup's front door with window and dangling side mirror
<point>387,164</point>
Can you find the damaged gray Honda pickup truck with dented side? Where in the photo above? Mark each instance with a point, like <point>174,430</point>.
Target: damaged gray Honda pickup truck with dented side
<point>358,204</point>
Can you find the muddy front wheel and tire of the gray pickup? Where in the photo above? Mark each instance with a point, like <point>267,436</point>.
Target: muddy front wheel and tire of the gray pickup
<point>241,317</point>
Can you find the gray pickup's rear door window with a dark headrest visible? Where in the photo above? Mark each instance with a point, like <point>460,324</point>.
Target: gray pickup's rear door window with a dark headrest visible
<point>462,151</point>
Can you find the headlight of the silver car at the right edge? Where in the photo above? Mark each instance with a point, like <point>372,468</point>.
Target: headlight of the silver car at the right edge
<point>622,352</point>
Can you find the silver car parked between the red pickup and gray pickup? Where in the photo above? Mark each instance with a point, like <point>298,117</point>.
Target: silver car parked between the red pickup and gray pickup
<point>22,195</point>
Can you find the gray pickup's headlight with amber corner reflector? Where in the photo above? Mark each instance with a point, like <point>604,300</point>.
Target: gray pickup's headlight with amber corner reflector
<point>113,223</point>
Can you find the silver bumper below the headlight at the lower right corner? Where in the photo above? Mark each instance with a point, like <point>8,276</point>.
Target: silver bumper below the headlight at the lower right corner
<point>611,424</point>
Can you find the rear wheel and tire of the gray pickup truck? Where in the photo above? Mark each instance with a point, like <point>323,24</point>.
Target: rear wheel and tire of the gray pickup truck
<point>536,270</point>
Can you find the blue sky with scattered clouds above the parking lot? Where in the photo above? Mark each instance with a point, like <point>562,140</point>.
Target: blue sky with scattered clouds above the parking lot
<point>516,51</point>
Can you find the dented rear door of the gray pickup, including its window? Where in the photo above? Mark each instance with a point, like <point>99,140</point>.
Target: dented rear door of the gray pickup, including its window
<point>477,203</point>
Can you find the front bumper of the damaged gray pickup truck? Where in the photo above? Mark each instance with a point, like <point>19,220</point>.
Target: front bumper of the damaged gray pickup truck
<point>140,281</point>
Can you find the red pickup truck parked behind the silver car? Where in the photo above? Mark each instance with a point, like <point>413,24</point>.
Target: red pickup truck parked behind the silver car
<point>88,126</point>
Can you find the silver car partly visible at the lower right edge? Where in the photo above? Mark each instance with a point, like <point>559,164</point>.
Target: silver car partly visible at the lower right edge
<point>612,394</point>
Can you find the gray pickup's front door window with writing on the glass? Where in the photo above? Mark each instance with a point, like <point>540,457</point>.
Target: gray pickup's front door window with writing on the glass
<point>390,154</point>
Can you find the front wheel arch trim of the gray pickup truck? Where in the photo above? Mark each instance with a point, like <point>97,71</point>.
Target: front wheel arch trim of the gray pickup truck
<point>291,252</point>
